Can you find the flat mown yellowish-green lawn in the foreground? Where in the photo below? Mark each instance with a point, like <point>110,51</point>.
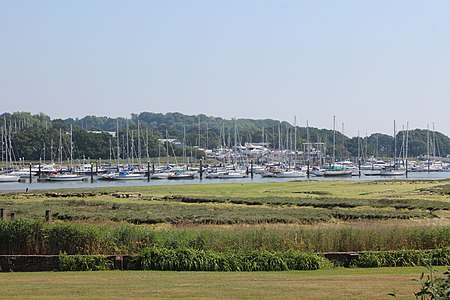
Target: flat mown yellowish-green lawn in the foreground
<point>322,284</point>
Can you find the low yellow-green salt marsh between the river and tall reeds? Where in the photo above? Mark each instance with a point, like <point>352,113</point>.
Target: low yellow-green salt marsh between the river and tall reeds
<point>290,202</point>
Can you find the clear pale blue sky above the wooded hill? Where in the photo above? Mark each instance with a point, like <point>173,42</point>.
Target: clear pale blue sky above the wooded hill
<point>368,63</point>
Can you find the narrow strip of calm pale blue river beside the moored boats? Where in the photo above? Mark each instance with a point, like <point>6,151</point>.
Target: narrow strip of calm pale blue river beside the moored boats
<point>23,185</point>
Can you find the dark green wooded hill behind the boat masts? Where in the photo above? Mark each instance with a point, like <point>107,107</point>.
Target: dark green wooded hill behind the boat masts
<point>37,136</point>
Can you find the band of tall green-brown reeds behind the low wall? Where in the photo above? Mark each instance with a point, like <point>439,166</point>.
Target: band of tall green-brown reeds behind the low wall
<point>26,236</point>
